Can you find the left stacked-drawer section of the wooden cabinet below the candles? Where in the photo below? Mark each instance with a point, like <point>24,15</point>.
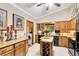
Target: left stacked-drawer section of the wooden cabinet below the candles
<point>7,51</point>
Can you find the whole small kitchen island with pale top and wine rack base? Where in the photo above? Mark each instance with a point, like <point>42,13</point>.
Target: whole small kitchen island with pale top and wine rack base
<point>46,46</point>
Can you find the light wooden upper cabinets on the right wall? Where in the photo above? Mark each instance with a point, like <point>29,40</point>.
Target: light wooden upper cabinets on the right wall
<point>66,26</point>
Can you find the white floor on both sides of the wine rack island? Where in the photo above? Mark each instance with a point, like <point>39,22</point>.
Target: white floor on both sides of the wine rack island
<point>58,51</point>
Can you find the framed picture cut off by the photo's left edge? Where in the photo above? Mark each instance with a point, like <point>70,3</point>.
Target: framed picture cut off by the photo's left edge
<point>3,19</point>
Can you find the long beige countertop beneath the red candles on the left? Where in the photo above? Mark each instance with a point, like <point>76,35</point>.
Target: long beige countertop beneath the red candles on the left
<point>7,43</point>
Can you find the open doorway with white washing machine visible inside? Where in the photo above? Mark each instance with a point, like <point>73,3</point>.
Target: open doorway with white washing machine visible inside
<point>30,31</point>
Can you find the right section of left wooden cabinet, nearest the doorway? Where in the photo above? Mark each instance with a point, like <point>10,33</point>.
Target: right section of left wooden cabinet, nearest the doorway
<point>20,48</point>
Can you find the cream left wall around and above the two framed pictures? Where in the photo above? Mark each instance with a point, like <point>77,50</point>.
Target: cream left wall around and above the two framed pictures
<point>11,9</point>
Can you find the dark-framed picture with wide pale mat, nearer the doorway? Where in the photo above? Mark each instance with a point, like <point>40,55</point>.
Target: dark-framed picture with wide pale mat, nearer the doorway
<point>18,22</point>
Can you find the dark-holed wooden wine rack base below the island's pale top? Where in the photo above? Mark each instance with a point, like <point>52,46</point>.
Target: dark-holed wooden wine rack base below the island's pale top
<point>46,48</point>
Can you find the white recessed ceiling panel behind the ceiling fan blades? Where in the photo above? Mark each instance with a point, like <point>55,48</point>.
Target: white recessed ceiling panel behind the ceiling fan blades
<point>38,12</point>
